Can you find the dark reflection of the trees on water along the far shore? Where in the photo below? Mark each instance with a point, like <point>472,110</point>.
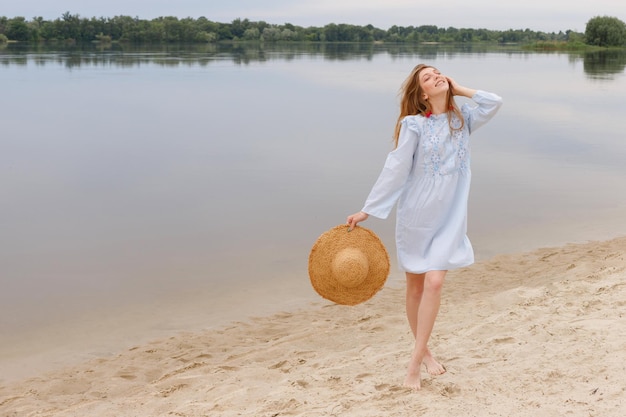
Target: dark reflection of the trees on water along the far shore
<point>602,65</point>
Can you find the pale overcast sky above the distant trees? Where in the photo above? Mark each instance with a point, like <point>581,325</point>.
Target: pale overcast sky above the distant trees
<point>536,15</point>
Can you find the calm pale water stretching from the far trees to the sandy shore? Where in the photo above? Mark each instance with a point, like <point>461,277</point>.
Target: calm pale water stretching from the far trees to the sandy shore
<point>151,191</point>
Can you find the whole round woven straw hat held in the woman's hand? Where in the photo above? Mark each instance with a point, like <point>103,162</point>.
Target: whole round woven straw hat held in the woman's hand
<point>348,267</point>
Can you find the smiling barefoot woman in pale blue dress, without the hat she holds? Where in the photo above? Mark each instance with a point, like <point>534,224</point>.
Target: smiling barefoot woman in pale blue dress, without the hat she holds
<point>428,175</point>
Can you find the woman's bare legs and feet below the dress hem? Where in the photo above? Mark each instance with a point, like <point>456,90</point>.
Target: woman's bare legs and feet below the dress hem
<point>423,298</point>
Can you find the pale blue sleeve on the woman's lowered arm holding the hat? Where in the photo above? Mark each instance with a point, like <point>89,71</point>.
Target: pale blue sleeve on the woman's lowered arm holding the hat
<point>394,175</point>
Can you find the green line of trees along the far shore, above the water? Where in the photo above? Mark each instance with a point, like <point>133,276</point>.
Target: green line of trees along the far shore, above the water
<point>600,31</point>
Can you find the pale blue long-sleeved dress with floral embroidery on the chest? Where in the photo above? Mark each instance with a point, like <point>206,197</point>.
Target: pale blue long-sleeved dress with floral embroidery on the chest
<point>429,175</point>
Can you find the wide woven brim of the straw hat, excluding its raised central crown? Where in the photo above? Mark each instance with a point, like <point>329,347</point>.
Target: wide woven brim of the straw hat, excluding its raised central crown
<point>331,243</point>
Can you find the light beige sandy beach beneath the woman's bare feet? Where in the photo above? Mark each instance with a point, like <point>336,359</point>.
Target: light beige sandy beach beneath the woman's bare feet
<point>541,333</point>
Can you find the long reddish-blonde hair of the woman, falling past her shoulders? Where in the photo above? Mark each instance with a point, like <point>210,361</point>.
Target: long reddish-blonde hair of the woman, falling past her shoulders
<point>412,102</point>
